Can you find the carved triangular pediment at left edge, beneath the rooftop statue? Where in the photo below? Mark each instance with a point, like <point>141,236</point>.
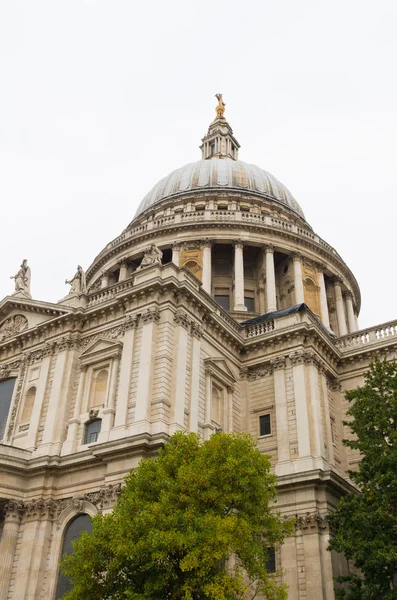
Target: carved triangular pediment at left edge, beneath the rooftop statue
<point>18,315</point>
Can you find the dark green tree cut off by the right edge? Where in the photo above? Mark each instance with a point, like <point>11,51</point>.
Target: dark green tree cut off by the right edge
<point>365,525</point>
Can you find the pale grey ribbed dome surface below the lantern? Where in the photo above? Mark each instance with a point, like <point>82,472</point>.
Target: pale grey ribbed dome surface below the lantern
<point>220,174</point>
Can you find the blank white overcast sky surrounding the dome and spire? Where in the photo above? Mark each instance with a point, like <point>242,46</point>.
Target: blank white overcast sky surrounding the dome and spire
<point>100,99</point>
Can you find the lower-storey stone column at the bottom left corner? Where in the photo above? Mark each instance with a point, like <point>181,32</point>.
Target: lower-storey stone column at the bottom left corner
<point>13,513</point>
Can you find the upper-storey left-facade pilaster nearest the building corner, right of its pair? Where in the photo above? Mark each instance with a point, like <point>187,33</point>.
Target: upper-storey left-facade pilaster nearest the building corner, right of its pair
<point>150,318</point>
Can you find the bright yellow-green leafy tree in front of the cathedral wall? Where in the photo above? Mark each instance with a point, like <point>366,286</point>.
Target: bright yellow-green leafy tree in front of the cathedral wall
<point>195,523</point>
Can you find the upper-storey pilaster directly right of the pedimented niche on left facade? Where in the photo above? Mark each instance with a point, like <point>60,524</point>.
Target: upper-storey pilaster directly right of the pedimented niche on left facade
<point>120,421</point>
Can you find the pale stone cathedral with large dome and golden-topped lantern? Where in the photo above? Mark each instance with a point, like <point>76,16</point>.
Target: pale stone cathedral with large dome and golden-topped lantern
<point>218,308</point>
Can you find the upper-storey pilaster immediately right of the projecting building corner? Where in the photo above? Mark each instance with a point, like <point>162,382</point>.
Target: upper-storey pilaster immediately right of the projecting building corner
<point>182,323</point>
